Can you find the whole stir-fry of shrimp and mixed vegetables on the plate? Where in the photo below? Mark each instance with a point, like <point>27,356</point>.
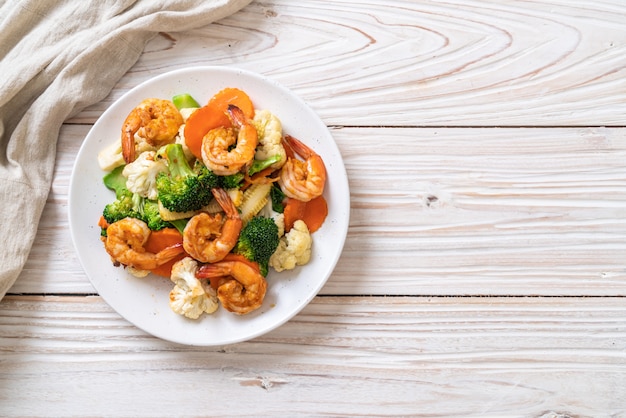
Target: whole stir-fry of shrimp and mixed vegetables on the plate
<point>212,197</point>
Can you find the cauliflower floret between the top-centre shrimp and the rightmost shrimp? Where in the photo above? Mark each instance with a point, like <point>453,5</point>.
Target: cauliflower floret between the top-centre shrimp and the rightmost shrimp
<point>270,133</point>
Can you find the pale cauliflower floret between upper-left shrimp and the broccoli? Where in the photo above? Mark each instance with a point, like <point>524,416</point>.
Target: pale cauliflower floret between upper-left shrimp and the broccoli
<point>141,175</point>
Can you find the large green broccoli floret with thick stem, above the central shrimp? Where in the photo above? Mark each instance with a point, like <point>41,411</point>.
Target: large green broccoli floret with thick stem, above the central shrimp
<point>183,188</point>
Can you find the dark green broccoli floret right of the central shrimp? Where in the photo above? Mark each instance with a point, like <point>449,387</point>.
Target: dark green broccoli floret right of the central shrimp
<point>257,241</point>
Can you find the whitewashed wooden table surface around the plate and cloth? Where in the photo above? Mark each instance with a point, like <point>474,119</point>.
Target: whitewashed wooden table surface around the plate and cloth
<point>484,270</point>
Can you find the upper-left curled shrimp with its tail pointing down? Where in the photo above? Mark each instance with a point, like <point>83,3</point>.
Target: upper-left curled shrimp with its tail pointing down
<point>155,120</point>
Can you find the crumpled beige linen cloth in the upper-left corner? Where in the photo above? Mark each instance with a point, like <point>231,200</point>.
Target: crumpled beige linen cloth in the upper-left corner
<point>56,58</point>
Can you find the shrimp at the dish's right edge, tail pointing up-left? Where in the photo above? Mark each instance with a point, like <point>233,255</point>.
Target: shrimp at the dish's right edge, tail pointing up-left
<point>302,180</point>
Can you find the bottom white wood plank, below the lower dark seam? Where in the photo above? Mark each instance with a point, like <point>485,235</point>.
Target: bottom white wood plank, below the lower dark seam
<point>340,356</point>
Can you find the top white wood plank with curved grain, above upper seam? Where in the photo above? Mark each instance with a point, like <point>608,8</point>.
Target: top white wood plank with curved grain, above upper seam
<point>426,63</point>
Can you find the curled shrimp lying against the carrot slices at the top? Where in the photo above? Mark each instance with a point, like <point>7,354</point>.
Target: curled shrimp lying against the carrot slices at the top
<point>216,145</point>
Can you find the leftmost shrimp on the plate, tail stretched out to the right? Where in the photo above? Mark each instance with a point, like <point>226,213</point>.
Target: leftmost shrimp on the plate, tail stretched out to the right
<point>125,243</point>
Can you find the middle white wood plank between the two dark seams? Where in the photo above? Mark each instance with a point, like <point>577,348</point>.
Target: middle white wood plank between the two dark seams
<point>440,212</point>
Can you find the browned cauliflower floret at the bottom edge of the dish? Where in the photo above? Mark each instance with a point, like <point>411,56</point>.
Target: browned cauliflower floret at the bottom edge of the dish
<point>190,297</point>
